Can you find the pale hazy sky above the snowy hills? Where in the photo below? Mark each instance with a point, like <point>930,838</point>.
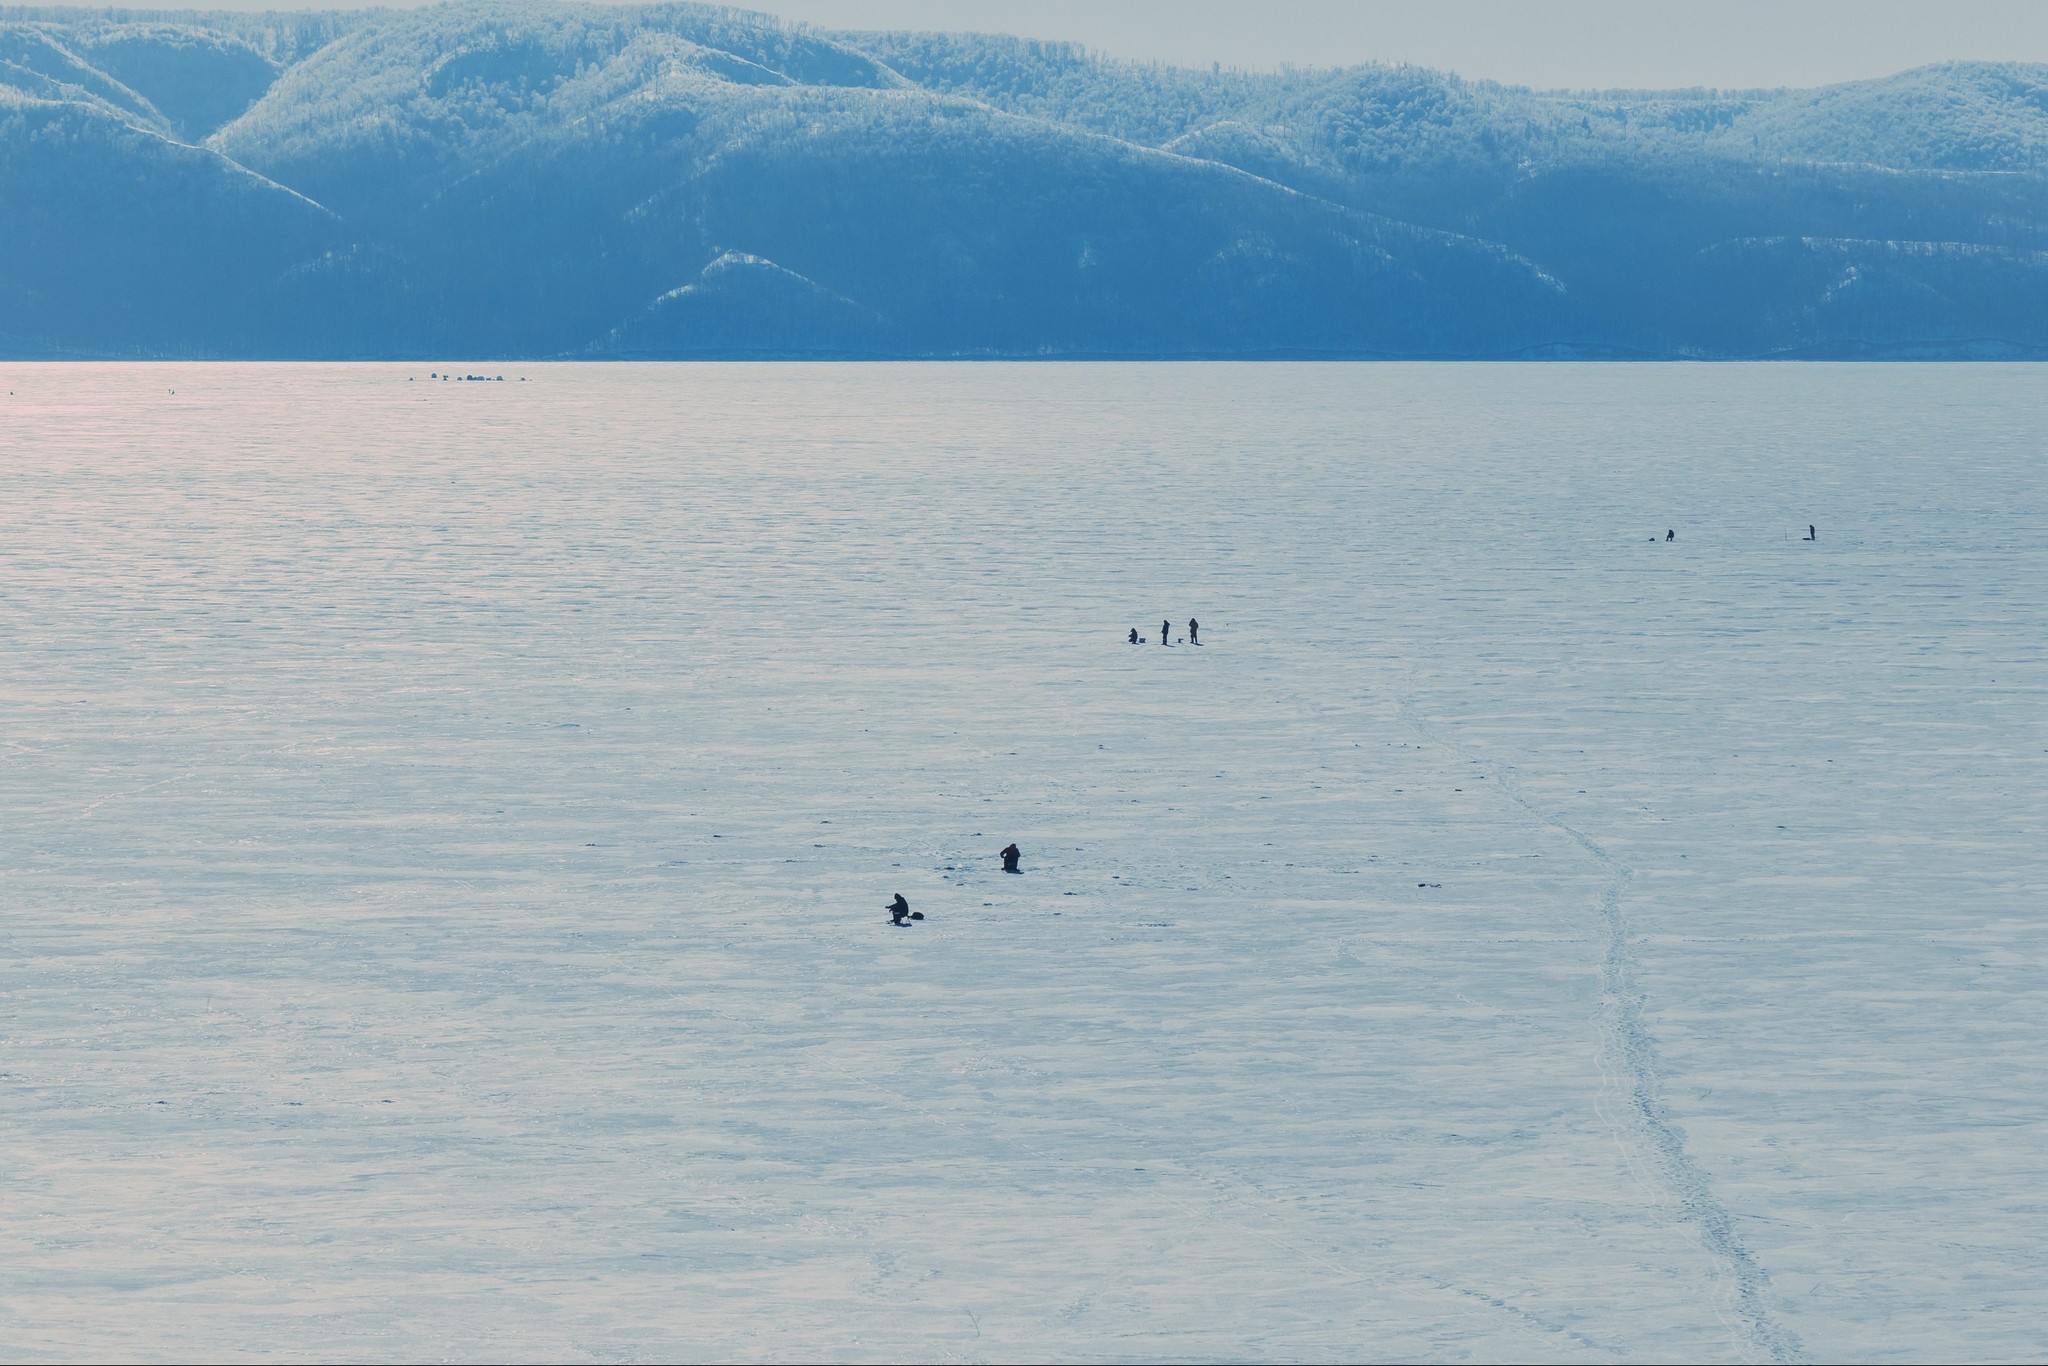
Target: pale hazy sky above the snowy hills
<point>1523,42</point>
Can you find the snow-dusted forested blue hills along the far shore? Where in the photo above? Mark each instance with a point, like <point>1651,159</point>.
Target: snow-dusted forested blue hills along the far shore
<point>503,179</point>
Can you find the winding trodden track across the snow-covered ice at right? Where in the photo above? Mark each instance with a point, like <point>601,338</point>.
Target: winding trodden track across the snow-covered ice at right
<point>1627,1039</point>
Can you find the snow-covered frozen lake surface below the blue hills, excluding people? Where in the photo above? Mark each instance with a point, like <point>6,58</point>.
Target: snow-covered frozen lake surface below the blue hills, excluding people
<point>445,835</point>
